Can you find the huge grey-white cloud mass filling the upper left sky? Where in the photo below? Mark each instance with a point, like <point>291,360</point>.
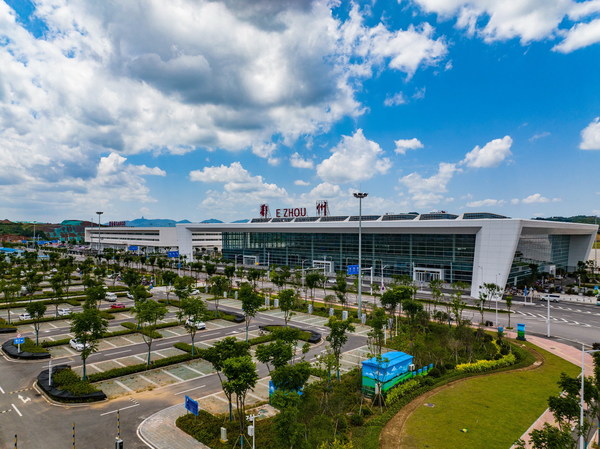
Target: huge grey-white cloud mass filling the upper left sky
<point>118,77</point>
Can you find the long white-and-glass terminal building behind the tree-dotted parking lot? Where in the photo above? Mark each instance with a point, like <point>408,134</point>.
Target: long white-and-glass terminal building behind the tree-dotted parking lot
<point>471,247</point>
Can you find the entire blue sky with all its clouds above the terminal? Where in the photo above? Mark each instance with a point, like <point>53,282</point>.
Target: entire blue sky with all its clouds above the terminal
<point>192,109</point>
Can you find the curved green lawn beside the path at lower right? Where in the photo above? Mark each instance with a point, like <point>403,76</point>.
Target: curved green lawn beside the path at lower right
<point>496,409</point>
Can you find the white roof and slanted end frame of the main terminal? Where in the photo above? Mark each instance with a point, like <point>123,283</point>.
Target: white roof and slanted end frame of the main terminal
<point>496,239</point>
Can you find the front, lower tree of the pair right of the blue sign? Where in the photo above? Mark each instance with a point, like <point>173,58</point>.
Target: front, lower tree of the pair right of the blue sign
<point>241,377</point>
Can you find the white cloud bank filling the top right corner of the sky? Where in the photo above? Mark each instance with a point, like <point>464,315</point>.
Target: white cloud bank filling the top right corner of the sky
<point>527,20</point>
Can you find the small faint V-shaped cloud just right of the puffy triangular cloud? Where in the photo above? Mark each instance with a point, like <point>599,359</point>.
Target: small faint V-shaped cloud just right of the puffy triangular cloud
<point>429,191</point>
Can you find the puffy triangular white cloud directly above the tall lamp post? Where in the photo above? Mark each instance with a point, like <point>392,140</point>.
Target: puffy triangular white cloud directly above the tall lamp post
<point>355,158</point>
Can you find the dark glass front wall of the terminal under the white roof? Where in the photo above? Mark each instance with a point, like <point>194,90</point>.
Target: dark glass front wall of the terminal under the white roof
<point>397,254</point>
